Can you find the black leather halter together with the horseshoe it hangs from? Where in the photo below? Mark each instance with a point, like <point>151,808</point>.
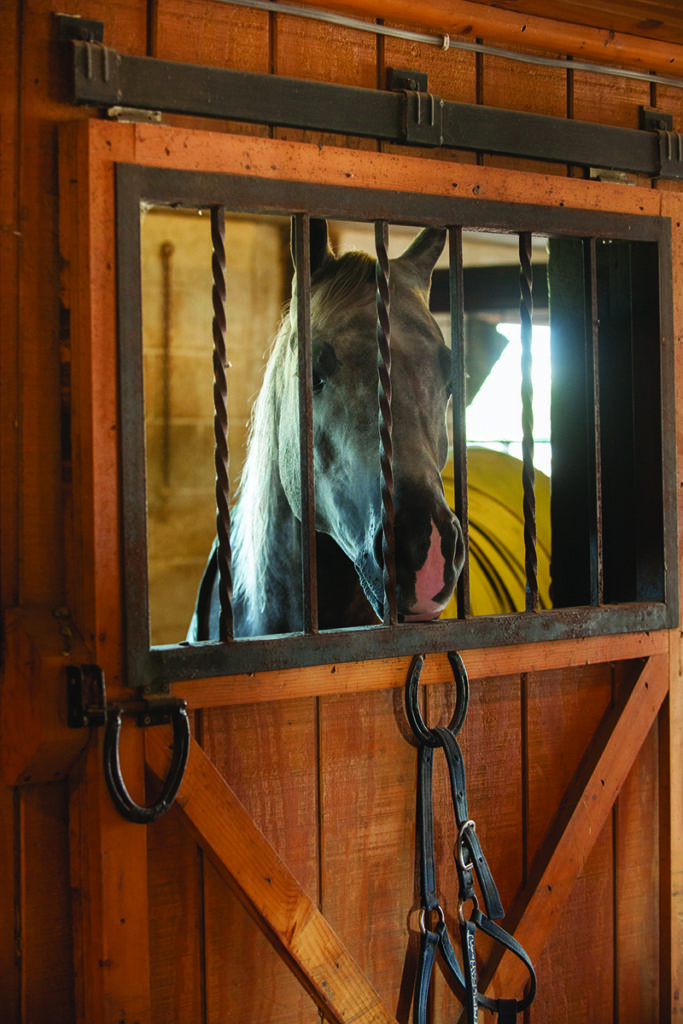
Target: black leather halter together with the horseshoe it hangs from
<point>471,863</point>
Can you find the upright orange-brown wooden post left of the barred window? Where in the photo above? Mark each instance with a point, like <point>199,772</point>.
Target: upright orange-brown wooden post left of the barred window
<point>88,247</point>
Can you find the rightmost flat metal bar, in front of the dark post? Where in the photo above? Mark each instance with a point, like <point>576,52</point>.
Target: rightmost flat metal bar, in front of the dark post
<point>593,406</point>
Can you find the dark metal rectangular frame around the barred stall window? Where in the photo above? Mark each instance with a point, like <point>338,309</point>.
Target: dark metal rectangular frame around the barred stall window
<point>155,669</point>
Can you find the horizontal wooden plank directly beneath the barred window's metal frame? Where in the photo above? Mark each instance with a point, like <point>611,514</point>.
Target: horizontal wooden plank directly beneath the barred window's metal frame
<point>382,674</point>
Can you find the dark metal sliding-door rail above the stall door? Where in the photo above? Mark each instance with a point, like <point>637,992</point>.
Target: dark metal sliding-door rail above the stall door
<point>408,115</point>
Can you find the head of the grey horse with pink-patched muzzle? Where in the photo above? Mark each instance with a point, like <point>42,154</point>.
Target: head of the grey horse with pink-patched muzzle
<point>430,548</point>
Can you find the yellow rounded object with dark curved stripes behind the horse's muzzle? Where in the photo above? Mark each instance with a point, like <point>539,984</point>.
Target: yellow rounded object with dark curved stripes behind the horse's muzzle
<point>496,519</point>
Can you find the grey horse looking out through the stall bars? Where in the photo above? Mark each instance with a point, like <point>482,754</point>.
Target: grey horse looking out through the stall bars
<point>266,537</point>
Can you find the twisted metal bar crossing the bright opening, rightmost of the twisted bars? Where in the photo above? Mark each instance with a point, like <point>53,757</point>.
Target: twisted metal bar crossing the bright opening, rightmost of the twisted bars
<point>529,475</point>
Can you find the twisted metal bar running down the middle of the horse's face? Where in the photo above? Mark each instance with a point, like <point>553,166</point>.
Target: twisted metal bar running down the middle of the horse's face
<point>386,423</point>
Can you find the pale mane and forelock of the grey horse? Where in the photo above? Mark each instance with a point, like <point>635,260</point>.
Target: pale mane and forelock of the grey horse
<point>334,286</point>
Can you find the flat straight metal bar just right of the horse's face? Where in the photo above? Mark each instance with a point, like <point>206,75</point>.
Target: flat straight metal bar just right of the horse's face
<point>457,304</point>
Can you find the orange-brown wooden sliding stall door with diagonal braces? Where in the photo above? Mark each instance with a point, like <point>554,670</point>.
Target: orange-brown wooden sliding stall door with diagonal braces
<point>298,806</point>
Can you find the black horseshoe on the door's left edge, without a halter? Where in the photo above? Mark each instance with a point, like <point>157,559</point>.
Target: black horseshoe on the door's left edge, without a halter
<point>123,802</point>
